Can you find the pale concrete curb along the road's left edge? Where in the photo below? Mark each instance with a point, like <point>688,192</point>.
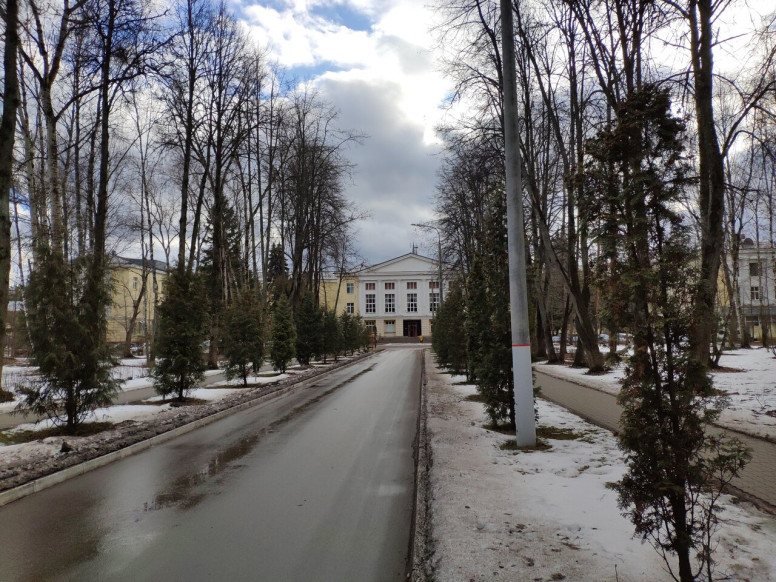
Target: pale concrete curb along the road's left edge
<point>47,481</point>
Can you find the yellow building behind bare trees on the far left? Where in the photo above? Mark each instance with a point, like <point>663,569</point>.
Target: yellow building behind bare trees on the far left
<point>132,301</point>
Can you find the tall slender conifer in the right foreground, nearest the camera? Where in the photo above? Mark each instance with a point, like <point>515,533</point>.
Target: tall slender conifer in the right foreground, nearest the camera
<point>675,468</point>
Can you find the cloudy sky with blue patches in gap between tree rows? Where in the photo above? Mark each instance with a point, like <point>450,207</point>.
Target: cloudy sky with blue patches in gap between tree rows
<point>371,59</point>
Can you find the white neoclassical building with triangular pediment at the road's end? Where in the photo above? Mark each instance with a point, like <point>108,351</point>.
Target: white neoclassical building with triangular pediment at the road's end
<point>399,297</point>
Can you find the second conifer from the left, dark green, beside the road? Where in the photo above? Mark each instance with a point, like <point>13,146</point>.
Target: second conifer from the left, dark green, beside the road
<point>182,329</point>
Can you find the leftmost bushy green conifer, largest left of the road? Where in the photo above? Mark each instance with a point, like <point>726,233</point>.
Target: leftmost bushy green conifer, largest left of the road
<point>74,363</point>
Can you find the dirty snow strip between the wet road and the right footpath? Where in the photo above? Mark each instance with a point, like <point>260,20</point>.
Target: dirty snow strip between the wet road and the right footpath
<point>547,514</point>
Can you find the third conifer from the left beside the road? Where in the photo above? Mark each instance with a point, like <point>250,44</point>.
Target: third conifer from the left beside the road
<point>243,336</point>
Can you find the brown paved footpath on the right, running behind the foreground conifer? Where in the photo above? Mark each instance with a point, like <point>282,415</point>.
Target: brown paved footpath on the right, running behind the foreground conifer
<point>757,478</point>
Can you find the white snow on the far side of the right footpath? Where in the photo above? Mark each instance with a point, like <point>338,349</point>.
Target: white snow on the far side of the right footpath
<point>751,390</point>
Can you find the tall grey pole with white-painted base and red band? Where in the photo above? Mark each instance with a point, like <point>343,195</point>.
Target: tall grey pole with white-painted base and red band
<point>518,295</point>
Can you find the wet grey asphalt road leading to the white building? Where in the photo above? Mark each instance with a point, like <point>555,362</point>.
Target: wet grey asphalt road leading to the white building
<point>316,484</point>
